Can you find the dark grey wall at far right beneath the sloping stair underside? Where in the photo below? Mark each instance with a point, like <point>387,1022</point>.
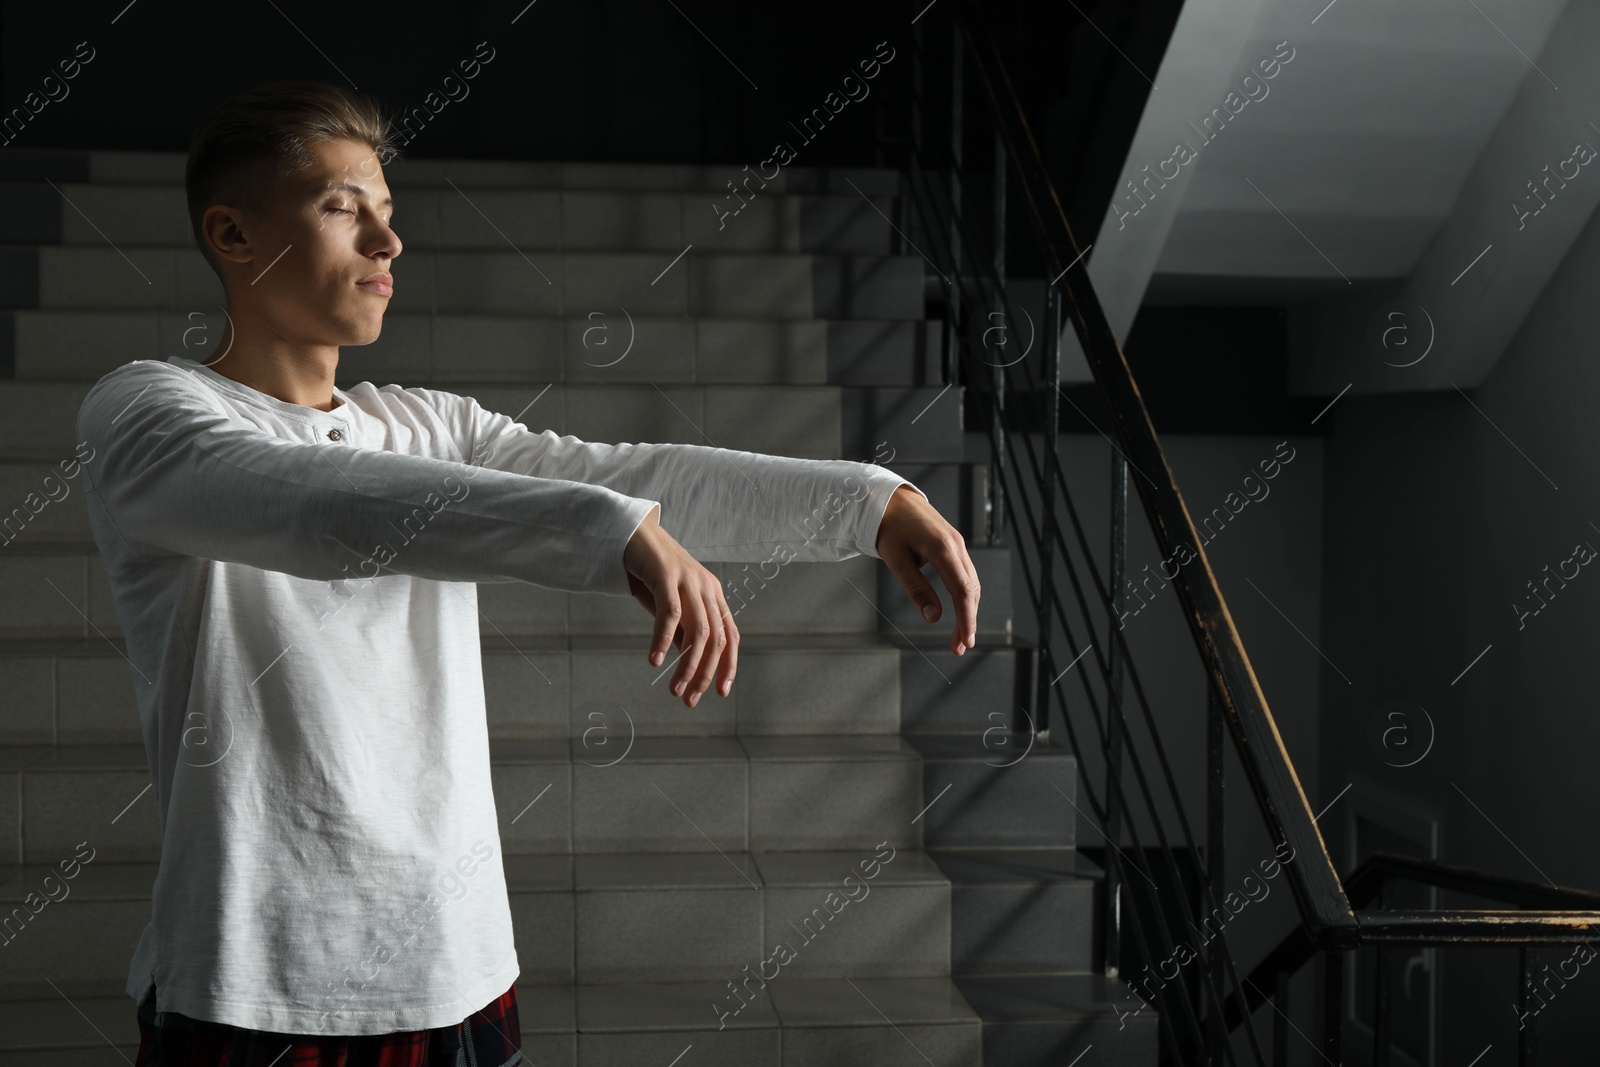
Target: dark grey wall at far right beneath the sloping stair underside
<point>1438,516</point>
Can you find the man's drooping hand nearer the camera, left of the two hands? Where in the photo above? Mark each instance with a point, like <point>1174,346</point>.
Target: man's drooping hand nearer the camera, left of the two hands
<point>690,610</point>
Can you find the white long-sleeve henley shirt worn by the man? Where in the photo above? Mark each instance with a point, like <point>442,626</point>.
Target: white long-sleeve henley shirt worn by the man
<point>297,589</point>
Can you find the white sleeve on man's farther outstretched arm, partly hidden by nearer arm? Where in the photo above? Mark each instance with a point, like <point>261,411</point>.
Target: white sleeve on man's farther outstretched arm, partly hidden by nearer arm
<point>718,503</point>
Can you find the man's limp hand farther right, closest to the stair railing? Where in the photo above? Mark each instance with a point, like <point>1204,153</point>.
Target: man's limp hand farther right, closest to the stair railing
<point>911,535</point>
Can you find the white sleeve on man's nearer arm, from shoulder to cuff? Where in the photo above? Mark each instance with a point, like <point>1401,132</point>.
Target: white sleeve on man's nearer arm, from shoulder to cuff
<point>175,474</point>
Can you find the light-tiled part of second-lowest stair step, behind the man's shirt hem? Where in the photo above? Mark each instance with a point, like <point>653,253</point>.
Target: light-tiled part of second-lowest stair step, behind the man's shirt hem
<point>591,919</point>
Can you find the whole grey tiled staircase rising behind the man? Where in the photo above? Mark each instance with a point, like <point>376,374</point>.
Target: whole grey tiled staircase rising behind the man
<point>652,852</point>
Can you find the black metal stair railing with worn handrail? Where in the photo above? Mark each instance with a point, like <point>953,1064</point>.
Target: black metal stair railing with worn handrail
<point>1129,785</point>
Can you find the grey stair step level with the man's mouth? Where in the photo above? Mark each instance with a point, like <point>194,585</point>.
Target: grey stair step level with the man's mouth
<point>703,284</point>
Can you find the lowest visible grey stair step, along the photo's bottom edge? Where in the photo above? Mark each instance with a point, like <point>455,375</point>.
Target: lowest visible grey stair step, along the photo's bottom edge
<point>793,1021</point>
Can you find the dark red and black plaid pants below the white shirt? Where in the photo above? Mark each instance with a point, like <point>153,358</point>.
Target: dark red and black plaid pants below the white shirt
<point>490,1037</point>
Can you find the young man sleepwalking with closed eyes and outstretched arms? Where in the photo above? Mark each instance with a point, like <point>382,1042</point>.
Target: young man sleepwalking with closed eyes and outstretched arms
<point>294,565</point>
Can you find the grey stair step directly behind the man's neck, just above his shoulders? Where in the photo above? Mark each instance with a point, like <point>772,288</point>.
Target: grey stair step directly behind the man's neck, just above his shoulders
<point>588,346</point>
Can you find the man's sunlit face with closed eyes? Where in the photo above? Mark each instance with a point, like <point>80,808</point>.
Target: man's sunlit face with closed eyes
<point>324,233</point>
